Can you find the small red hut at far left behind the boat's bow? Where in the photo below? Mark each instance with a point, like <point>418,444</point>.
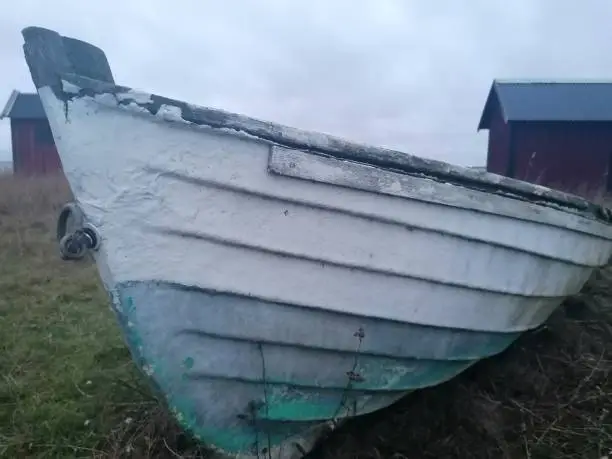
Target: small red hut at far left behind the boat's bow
<point>34,151</point>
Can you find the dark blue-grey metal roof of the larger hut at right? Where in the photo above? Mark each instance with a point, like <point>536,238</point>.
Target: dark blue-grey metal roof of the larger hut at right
<point>549,101</point>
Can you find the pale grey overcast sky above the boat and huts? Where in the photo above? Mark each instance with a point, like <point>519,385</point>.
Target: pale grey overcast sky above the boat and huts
<point>411,75</point>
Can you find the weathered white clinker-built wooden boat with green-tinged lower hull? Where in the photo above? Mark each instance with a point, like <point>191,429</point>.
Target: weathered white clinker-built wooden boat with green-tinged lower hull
<point>272,281</point>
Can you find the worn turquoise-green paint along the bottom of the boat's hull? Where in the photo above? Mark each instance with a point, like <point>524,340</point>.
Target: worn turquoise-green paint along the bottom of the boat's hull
<point>286,409</point>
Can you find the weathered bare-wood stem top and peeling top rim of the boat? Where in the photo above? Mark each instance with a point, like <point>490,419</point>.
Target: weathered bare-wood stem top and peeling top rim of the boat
<point>53,58</point>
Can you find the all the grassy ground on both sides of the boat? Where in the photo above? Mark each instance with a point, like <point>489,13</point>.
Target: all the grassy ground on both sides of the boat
<point>68,387</point>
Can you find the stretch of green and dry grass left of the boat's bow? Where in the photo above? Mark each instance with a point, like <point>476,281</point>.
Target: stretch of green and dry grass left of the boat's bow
<point>68,387</point>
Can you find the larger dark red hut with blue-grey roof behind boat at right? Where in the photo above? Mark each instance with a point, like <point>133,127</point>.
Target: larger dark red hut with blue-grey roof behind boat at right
<point>555,134</point>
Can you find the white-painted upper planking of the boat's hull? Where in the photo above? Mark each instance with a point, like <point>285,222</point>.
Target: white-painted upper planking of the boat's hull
<point>254,233</point>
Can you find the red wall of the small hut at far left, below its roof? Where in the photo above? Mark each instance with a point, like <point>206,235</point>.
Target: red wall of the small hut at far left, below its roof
<point>34,151</point>
